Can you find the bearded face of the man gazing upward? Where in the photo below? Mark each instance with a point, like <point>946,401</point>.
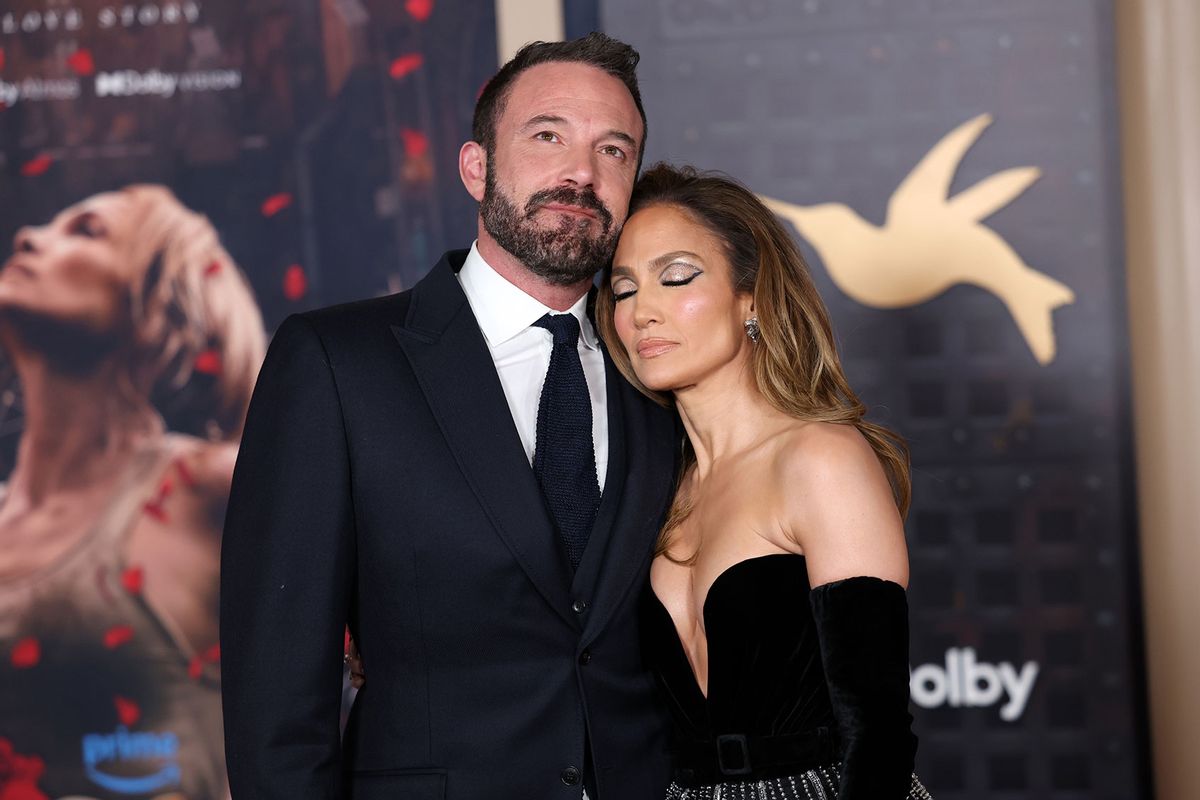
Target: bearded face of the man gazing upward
<point>562,170</point>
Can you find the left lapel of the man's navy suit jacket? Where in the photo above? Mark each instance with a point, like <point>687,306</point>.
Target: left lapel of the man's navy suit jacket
<point>455,371</point>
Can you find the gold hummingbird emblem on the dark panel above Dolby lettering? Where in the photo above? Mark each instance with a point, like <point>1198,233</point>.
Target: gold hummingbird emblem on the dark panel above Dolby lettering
<point>932,242</point>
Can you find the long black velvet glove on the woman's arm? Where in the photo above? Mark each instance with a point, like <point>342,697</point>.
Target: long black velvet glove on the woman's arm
<point>863,629</point>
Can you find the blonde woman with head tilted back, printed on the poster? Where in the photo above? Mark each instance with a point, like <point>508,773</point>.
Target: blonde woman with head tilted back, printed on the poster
<point>122,311</point>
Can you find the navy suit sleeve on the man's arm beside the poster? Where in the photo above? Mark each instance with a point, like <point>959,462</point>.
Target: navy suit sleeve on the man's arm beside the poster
<point>287,563</point>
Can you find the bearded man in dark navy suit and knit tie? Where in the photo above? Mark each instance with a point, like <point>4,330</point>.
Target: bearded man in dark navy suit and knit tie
<point>459,473</point>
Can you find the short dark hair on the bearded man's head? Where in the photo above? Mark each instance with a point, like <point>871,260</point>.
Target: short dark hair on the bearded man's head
<point>596,50</point>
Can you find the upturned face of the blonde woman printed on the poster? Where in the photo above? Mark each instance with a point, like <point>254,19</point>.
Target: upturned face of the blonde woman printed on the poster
<point>77,268</point>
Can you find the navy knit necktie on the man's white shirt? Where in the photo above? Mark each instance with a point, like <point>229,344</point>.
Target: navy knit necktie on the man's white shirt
<point>565,459</point>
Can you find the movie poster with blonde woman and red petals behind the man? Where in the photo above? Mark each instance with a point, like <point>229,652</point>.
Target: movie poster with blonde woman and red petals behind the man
<point>176,178</point>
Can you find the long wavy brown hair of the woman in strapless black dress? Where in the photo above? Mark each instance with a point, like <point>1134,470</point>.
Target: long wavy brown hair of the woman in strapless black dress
<point>795,363</point>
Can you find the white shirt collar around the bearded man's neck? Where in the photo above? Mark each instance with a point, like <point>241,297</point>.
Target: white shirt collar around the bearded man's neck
<point>503,311</point>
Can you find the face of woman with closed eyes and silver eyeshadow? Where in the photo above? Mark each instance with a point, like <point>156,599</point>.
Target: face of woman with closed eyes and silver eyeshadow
<point>676,310</point>
